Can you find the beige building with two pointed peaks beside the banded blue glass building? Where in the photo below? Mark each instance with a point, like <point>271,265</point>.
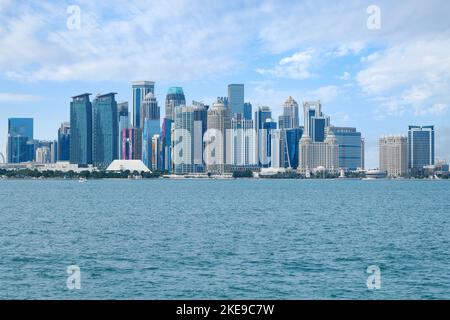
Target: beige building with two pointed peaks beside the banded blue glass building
<point>318,155</point>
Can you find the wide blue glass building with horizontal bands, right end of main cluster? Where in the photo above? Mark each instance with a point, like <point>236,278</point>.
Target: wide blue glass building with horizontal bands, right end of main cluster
<point>350,147</point>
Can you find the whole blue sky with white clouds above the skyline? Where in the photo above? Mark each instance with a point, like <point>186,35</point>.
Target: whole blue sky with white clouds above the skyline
<point>378,80</point>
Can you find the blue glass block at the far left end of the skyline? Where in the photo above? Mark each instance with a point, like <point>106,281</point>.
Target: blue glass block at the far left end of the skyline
<point>20,134</point>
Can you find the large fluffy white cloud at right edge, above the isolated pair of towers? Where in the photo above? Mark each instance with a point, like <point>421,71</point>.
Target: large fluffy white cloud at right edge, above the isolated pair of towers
<point>409,76</point>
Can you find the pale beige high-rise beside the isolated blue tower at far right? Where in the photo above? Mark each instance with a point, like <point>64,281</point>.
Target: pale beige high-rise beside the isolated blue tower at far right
<point>394,155</point>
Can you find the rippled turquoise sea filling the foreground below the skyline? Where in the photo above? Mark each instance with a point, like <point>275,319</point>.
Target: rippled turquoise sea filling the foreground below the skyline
<point>225,239</point>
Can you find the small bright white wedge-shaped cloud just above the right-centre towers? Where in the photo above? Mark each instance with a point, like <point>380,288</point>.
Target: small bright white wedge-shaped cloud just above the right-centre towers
<point>295,67</point>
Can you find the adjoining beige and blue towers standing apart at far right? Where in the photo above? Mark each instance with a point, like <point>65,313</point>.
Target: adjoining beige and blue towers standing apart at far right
<point>408,155</point>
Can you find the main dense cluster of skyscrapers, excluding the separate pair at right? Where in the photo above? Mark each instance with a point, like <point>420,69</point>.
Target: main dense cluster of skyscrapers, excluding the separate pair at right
<point>194,138</point>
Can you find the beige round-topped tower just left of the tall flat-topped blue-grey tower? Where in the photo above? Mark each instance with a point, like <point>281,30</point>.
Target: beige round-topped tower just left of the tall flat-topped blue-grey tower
<point>215,151</point>
